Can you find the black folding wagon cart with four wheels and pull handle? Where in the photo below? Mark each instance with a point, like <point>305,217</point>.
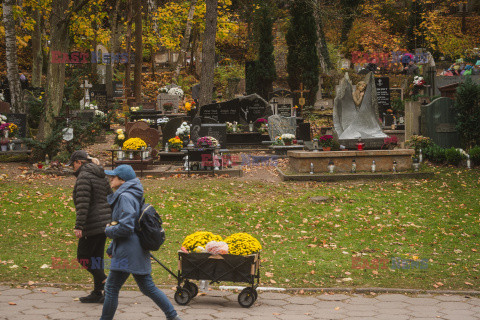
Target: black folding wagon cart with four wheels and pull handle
<point>216,268</point>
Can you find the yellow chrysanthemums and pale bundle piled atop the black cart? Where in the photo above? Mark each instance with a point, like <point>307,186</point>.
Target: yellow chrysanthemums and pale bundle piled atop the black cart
<point>236,244</point>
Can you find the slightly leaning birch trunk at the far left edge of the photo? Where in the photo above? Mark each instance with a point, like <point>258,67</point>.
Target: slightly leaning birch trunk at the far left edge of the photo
<point>11,57</point>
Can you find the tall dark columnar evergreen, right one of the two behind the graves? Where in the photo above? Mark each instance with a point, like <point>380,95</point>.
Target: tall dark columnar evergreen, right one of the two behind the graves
<point>302,58</point>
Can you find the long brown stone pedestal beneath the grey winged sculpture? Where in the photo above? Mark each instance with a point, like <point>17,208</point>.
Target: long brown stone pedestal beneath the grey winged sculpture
<point>300,160</point>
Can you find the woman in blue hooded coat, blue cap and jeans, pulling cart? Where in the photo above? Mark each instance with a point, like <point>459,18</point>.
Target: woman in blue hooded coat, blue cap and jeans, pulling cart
<point>128,257</point>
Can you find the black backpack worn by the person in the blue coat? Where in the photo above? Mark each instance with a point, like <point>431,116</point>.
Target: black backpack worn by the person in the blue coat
<point>149,228</point>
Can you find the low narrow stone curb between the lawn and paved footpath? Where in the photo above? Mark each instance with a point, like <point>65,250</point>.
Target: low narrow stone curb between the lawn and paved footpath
<point>288,290</point>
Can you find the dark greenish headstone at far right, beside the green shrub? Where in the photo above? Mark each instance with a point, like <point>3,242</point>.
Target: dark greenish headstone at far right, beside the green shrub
<point>438,121</point>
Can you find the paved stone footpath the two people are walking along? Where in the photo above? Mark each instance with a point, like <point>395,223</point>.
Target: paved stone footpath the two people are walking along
<point>54,303</point>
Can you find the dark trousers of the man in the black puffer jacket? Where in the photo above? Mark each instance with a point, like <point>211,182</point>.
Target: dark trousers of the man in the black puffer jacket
<point>90,254</point>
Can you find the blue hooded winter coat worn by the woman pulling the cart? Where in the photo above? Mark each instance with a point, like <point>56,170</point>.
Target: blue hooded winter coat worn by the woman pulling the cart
<point>127,253</point>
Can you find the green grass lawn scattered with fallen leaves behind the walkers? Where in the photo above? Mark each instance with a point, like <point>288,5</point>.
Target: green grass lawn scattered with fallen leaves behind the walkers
<point>304,244</point>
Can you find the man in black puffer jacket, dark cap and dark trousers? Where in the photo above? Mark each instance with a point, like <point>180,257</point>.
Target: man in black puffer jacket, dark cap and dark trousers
<point>93,214</point>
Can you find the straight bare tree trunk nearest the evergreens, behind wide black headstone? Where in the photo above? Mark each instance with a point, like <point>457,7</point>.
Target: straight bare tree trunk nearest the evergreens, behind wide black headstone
<point>208,54</point>
